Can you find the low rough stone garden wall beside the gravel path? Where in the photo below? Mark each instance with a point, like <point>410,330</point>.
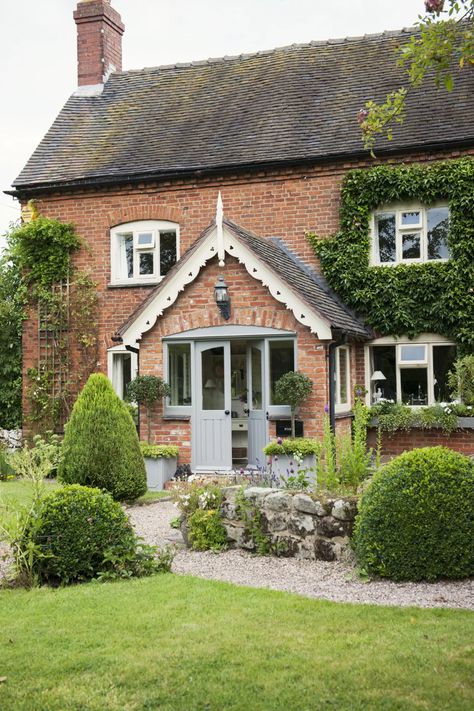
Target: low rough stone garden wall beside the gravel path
<point>303,526</point>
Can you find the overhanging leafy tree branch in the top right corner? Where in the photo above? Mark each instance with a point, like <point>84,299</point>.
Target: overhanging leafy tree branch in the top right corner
<point>445,38</point>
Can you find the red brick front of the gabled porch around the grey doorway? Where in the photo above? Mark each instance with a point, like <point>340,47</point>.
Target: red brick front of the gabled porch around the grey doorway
<point>252,304</point>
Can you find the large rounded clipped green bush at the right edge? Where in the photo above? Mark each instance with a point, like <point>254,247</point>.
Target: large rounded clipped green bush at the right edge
<point>415,520</point>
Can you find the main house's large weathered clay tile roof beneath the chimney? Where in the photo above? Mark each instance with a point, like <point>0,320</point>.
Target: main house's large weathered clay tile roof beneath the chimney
<point>288,104</point>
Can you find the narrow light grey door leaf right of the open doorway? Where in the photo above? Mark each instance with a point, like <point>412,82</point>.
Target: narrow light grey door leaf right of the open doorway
<point>257,421</point>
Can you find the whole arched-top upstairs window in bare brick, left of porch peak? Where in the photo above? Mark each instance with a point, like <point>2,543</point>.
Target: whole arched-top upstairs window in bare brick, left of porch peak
<point>143,252</point>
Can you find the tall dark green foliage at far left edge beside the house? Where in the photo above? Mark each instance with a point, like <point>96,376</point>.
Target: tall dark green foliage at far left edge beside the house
<point>12,314</point>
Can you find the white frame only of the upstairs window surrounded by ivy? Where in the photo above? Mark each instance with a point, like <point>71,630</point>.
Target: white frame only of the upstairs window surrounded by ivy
<point>400,230</point>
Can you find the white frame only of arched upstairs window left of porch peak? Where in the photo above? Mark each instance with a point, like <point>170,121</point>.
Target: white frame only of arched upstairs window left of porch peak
<point>117,253</point>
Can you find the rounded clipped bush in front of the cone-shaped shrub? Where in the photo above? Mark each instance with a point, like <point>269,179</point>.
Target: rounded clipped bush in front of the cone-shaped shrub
<point>78,533</point>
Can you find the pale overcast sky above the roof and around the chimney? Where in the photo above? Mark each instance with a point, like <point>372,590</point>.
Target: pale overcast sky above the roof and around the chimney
<point>38,50</point>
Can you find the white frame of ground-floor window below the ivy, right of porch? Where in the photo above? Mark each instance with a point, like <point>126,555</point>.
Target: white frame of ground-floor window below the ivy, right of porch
<point>429,340</point>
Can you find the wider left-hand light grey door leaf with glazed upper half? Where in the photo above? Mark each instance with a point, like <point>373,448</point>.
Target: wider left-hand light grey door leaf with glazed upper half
<point>212,423</point>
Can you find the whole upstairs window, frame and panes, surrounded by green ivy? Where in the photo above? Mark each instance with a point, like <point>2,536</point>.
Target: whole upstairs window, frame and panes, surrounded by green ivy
<point>408,234</point>
